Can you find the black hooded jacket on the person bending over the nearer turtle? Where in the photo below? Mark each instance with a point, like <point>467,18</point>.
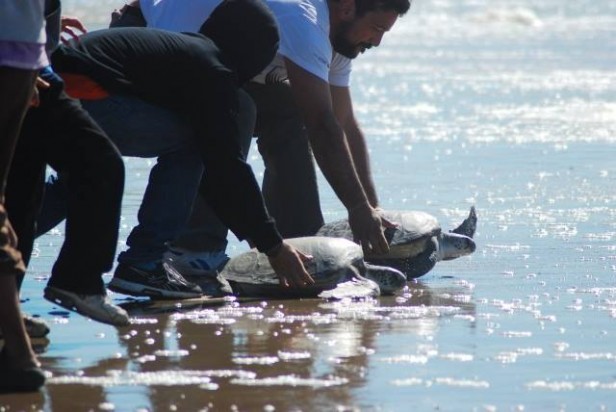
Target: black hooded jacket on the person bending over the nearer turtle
<point>199,79</point>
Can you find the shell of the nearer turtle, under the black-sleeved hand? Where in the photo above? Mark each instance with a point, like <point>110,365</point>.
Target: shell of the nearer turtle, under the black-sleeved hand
<point>335,260</point>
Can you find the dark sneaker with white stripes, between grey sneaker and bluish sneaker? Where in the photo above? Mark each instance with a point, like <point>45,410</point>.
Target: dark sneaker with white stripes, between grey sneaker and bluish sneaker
<point>162,282</point>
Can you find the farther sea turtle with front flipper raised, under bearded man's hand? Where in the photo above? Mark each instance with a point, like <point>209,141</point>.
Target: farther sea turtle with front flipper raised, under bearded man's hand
<point>418,243</point>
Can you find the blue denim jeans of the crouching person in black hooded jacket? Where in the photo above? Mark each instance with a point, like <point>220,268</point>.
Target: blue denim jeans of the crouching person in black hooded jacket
<point>140,129</point>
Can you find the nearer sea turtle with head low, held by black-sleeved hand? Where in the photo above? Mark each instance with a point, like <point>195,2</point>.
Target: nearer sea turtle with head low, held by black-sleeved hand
<point>337,267</point>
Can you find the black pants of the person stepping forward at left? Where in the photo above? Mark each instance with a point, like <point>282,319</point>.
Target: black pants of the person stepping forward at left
<point>61,134</point>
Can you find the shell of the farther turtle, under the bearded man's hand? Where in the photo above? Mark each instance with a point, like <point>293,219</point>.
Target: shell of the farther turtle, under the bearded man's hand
<point>411,238</point>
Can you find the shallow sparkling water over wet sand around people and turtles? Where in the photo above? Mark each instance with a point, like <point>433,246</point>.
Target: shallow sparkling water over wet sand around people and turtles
<point>509,106</point>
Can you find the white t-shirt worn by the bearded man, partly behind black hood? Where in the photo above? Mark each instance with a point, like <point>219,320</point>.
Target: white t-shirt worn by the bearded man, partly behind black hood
<point>303,26</point>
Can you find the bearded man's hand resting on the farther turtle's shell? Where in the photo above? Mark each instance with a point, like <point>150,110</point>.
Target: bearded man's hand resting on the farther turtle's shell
<point>367,226</point>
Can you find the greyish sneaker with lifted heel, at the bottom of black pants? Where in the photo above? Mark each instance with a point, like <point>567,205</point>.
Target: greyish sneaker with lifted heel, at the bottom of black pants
<point>97,307</point>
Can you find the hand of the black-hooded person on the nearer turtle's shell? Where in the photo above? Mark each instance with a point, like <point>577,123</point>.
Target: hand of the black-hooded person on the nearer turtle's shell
<point>288,264</point>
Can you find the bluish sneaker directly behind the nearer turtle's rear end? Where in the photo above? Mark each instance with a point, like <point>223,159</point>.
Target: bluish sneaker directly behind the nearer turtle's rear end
<point>196,263</point>
